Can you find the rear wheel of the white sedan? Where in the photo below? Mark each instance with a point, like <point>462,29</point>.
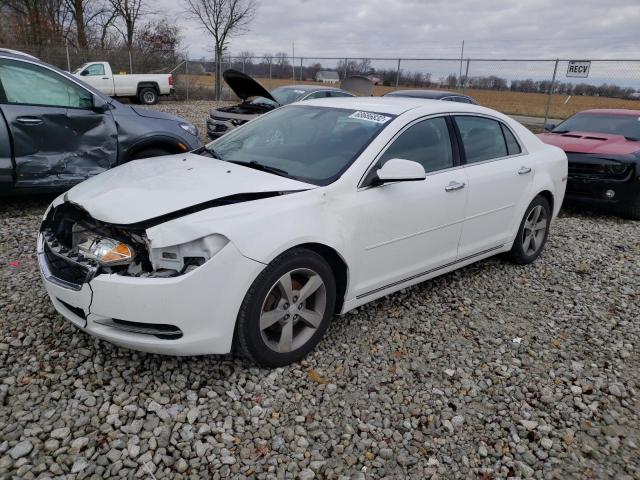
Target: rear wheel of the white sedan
<point>532,233</point>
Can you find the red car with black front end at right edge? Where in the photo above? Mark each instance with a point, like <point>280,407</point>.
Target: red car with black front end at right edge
<point>603,148</point>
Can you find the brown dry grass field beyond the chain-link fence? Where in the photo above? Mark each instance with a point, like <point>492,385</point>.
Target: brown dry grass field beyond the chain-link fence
<point>513,103</point>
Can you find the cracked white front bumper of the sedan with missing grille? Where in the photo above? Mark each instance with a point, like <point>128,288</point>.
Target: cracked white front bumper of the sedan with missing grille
<point>188,314</point>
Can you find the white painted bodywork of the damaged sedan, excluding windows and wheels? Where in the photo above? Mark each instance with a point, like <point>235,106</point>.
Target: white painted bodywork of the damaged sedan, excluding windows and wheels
<point>389,237</point>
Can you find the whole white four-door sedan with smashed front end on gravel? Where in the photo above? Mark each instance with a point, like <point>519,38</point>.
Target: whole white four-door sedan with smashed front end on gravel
<point>255,242</point>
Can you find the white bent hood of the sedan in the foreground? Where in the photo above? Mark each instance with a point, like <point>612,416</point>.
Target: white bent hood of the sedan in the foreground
<point>146,189</point>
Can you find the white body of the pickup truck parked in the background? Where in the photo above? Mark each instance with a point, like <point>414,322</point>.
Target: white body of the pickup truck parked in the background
<point>124,85</point>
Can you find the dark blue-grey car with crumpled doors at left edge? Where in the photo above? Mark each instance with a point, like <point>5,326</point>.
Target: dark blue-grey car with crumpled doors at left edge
<point>56,131</point>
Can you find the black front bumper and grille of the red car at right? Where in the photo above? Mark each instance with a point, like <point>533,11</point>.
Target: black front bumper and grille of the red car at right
<point>607,182</point>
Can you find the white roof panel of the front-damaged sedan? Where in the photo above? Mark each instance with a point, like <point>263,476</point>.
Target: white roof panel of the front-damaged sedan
<point>399,105</point>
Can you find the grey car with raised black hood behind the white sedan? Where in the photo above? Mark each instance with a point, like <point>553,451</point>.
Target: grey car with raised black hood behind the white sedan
<point>257,100</point>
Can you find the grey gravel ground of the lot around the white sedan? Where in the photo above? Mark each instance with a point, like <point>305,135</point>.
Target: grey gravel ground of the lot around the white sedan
<point>493,371</point>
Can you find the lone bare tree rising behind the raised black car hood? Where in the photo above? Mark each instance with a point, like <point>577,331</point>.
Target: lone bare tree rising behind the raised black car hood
<point>222,19</point>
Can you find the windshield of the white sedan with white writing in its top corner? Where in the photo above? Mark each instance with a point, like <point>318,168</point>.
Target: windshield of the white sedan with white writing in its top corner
<point>311,144</point>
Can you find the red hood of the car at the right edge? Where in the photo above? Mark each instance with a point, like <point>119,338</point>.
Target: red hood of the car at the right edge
<point>590,142</point>
